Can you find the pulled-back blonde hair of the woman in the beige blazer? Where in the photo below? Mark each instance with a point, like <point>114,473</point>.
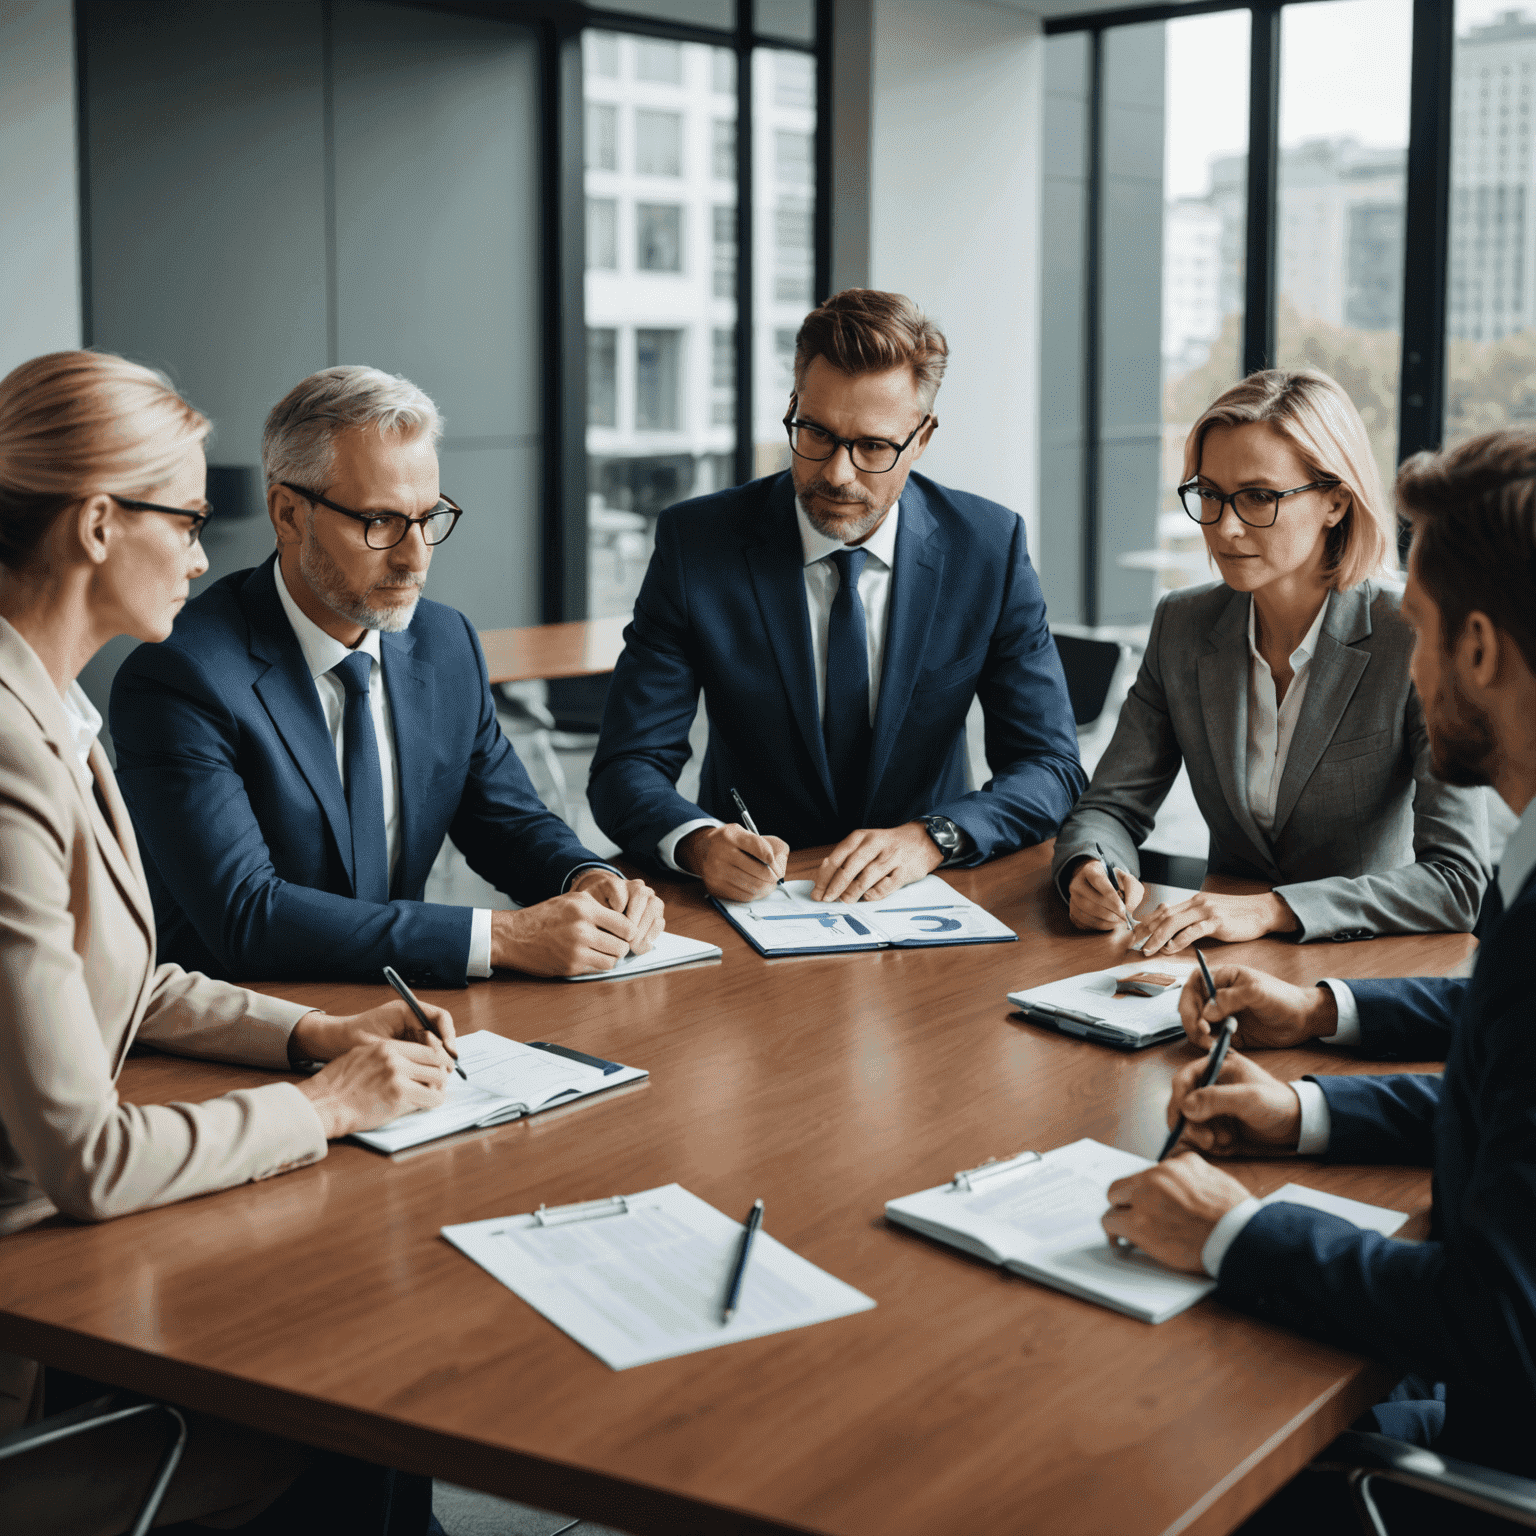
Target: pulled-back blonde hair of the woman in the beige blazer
<point>76,425</point>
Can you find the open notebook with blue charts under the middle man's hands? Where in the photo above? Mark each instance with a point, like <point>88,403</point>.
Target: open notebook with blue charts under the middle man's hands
<point>925,915</point>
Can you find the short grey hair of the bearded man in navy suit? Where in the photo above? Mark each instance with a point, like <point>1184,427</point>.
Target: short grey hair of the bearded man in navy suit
<point>299,442</point>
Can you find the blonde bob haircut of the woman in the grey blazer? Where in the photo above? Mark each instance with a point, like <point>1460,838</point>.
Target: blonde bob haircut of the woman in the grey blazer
<point>1320,422</point>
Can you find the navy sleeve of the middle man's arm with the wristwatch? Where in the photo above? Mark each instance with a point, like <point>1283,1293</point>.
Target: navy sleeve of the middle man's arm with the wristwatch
<point>1031,738</point>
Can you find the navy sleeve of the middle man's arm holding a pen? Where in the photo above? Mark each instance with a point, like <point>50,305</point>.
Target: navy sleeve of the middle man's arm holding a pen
<point>652,706</point>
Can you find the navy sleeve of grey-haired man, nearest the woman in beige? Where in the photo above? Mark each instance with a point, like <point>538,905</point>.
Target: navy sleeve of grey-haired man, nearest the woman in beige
<point>177,749</point>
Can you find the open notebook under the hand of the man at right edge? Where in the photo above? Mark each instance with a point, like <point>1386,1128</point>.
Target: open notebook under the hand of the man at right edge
<point>1039,1214</point>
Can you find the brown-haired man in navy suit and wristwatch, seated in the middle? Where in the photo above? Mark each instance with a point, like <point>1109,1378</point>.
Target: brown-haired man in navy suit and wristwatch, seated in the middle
<point>839,618</point>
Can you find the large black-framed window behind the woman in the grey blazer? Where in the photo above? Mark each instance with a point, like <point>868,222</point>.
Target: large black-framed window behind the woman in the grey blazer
<point>1305,220</point>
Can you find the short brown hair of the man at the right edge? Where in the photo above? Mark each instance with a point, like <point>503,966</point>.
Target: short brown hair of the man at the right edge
<point>1474,514</point>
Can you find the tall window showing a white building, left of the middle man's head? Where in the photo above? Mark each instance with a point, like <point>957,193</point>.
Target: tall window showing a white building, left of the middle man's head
<point>689,345</point>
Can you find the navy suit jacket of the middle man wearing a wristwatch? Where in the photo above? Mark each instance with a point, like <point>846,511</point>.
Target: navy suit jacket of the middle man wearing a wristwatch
<point>724,609</point>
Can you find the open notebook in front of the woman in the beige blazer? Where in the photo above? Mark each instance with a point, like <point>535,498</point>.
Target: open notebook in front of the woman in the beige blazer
<point>506,1082</point>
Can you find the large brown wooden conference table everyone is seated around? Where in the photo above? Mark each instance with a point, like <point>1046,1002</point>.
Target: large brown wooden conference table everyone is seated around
<point>325,1306</point>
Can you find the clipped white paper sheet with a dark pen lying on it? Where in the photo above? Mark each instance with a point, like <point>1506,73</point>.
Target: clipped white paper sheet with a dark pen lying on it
<point>644,1277</point>
